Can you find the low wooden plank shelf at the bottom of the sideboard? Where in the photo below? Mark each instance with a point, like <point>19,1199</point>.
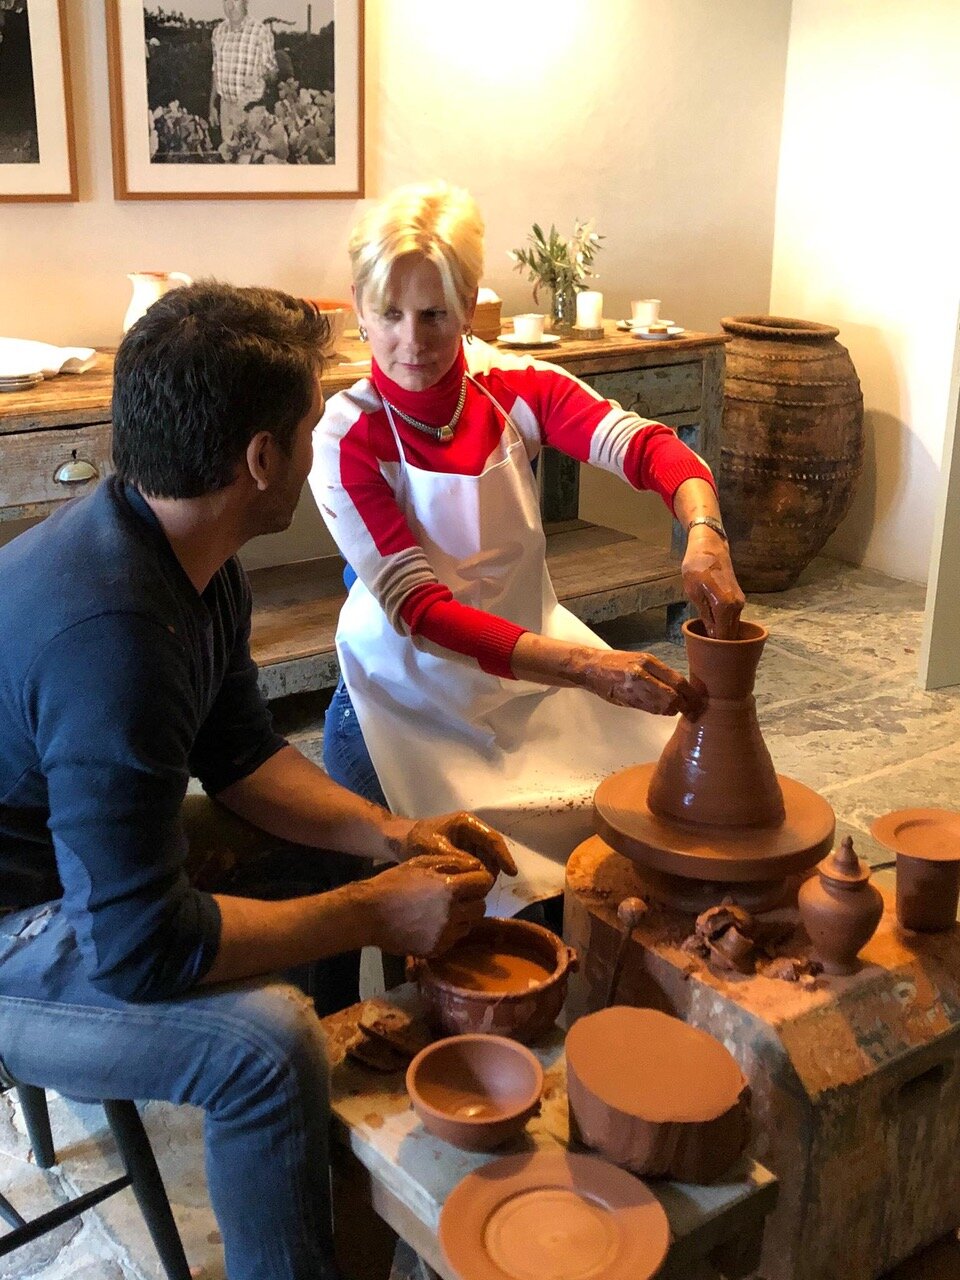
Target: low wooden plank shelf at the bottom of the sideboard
<point>598,574</point>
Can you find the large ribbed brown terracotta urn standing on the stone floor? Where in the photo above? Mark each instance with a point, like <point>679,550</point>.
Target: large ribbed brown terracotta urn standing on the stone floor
<point>792,445</point>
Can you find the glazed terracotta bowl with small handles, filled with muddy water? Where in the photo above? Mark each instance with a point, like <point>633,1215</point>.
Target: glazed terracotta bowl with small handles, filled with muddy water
<point>504,979</point>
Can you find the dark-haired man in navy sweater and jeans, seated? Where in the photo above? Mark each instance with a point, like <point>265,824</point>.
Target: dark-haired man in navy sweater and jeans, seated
<point>136,953</point>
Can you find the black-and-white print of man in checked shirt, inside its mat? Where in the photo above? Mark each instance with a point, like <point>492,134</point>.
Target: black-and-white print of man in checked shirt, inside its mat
<point>241,83</point>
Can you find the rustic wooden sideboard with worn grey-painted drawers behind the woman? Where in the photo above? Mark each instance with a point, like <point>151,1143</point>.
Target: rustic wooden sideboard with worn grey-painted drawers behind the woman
<point>56,445</point>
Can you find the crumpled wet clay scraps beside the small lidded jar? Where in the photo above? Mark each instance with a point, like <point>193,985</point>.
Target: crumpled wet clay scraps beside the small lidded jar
<point>734,940</point>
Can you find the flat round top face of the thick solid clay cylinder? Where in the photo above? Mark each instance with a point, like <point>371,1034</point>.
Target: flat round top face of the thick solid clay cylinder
<point>652,1066</point>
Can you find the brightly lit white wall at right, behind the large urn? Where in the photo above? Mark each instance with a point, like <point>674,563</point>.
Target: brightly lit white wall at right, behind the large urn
<point>867,240</point>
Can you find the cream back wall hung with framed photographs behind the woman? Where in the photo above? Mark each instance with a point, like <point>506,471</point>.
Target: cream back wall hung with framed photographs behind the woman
<point>660,118</point>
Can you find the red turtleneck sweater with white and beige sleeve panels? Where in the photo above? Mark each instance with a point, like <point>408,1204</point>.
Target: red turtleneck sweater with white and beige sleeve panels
<point>355,456</point>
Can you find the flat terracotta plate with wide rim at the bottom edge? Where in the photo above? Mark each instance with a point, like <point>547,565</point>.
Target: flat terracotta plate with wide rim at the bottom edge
<point>552,1215</point>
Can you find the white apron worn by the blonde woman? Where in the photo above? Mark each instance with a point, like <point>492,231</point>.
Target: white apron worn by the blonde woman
<point>444,734</point>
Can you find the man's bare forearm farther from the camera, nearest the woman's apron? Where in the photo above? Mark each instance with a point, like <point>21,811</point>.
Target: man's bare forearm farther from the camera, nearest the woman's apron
<point>290,797</point>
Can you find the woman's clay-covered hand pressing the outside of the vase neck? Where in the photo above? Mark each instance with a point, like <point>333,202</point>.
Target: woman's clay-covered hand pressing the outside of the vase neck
<point>636,680</point>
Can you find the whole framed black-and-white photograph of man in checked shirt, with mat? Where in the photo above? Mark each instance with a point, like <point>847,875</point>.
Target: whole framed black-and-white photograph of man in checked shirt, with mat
<point>237,99</point>
